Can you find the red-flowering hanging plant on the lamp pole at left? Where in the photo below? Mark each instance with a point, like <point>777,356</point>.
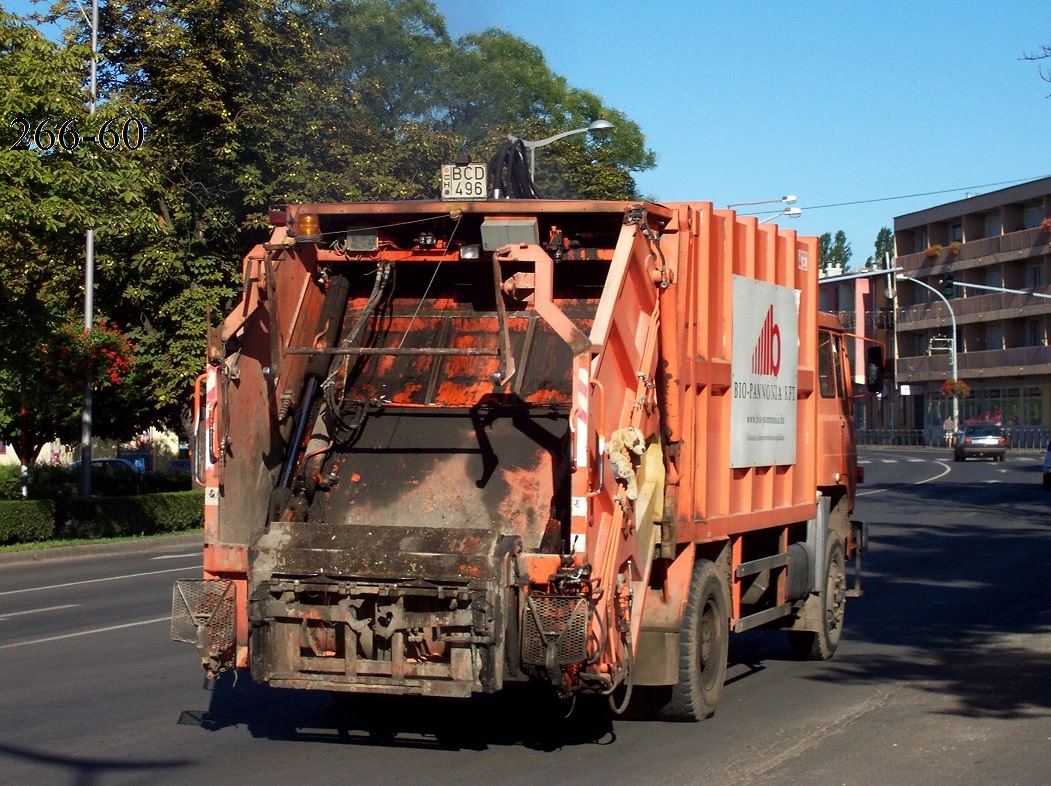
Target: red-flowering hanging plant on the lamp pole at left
<point>104,350</point>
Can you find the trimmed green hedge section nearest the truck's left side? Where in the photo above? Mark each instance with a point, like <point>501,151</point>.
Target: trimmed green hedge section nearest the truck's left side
<point>149,514</point>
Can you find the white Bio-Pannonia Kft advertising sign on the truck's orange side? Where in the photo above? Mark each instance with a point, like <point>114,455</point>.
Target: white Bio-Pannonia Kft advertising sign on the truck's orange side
<point>765,370</point>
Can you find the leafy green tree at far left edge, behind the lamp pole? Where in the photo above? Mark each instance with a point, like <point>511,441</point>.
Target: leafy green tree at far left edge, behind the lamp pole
<point>50,195</point>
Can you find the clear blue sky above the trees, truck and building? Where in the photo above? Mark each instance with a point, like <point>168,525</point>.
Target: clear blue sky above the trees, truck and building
<point>835,102</point>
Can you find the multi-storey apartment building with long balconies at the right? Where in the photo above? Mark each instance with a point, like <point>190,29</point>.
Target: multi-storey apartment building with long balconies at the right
<point>997,241</point>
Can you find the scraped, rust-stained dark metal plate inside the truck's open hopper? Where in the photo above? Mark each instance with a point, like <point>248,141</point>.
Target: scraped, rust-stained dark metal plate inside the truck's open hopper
<point>493,471</point>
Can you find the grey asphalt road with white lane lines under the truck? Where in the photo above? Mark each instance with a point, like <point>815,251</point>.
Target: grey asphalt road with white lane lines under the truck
<point>942,678</point>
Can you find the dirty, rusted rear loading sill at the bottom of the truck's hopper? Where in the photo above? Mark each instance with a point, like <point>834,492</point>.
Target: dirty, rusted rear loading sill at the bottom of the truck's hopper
<point>427,623</point>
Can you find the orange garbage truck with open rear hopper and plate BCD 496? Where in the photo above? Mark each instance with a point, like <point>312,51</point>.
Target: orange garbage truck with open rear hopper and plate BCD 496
<point>447,446</point>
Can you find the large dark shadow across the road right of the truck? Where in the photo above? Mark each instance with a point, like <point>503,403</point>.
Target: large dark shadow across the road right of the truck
<point>960,595</point>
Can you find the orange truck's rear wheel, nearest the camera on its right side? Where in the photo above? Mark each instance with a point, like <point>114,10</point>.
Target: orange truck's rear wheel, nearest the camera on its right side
<point>704,647</point>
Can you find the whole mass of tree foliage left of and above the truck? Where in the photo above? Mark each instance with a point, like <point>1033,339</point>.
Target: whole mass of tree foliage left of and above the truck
<point>246,104</point>
